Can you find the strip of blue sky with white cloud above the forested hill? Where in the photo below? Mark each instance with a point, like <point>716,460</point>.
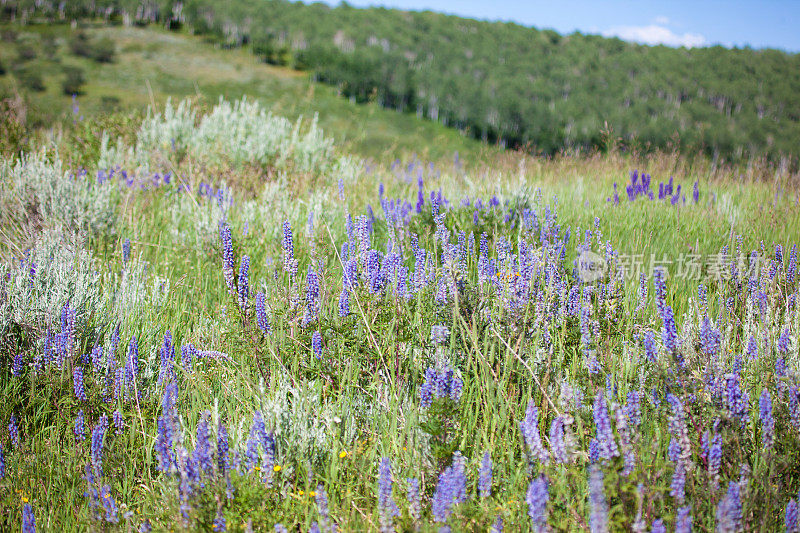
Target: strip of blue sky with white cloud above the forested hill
<point>759,24</point>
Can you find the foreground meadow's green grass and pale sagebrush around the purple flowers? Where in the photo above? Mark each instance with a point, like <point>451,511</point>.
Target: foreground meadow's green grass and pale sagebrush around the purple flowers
<point>334,416</point>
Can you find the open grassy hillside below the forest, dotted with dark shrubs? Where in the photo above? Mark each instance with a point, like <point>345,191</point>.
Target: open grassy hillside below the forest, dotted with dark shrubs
<point>151,65</point>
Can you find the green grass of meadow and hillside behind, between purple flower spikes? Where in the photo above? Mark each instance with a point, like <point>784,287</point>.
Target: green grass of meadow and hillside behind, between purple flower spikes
<point>336,416</point>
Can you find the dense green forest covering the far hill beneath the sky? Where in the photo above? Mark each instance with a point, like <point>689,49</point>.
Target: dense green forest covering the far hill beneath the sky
<point>501,82</point>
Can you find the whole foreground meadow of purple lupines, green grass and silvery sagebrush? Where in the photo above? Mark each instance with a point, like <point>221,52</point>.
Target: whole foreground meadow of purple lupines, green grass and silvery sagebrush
<point>387,346</point>
